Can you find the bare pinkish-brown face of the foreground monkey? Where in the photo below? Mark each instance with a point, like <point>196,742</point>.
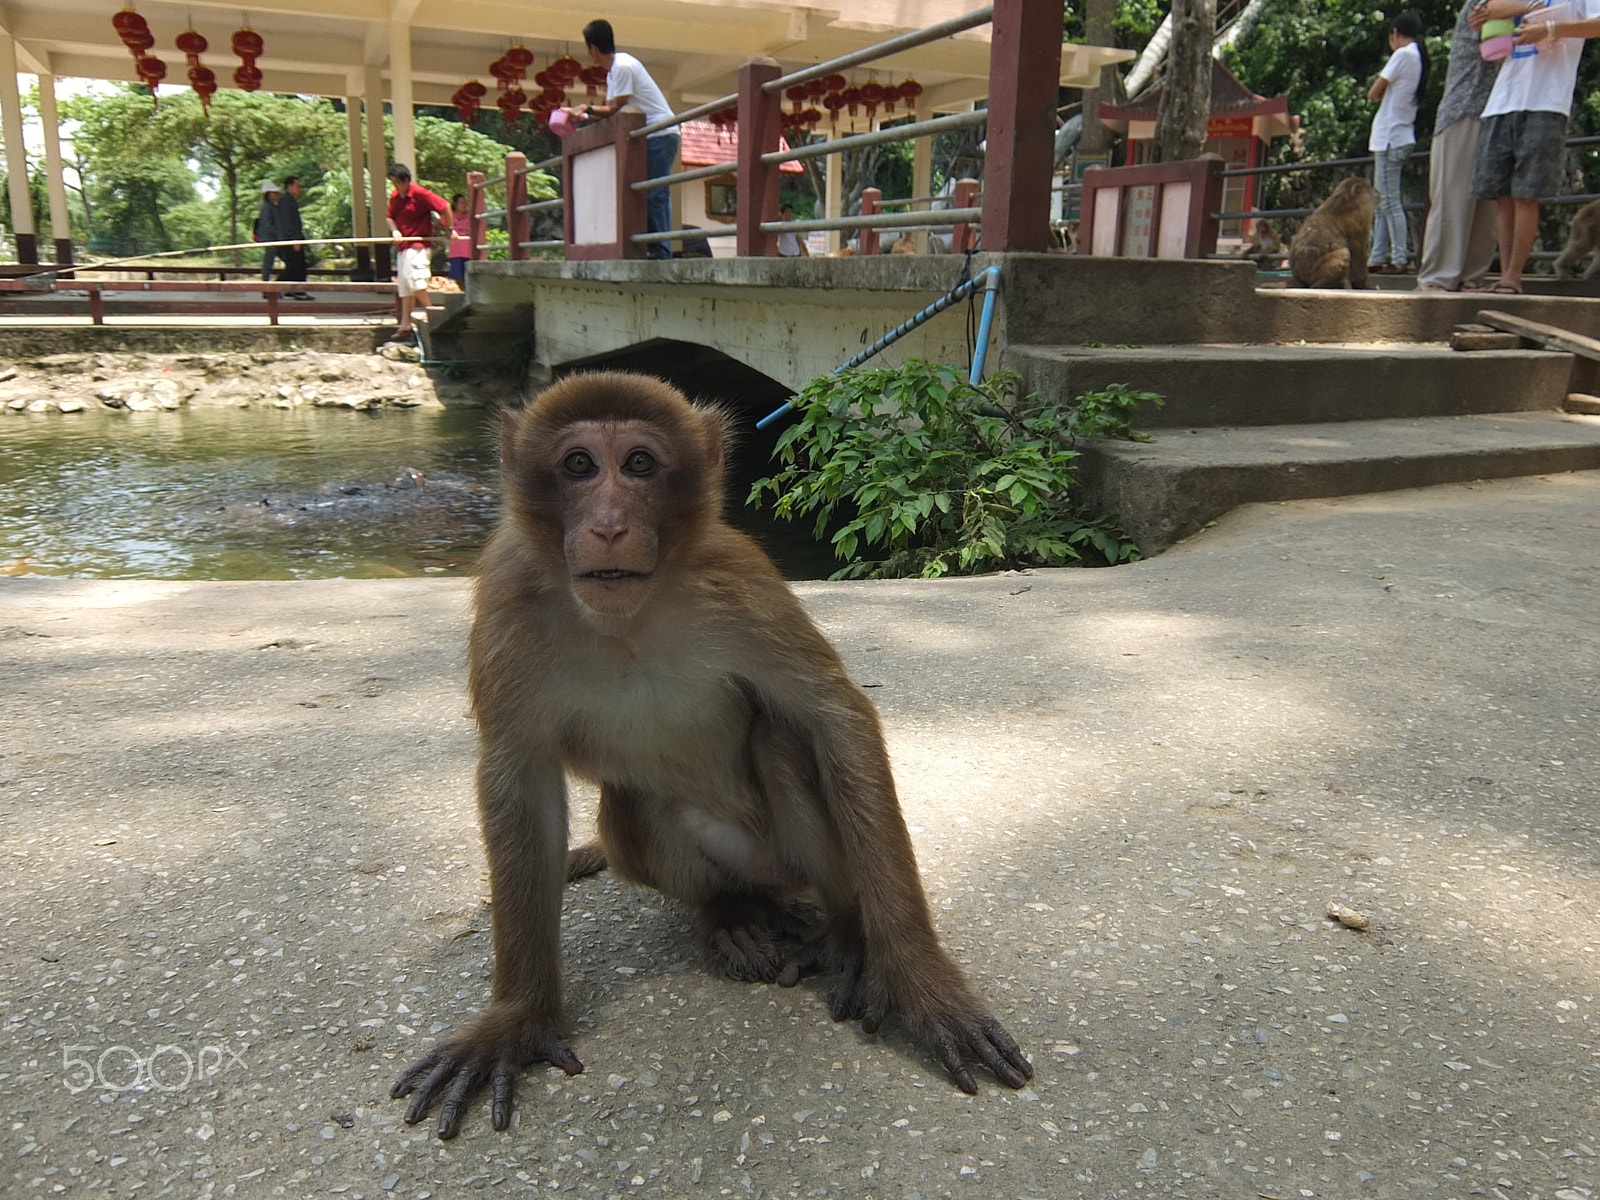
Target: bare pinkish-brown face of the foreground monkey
<point>618,484</point>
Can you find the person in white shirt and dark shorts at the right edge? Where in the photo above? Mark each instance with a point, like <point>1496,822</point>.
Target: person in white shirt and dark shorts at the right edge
<point>1526,122</point>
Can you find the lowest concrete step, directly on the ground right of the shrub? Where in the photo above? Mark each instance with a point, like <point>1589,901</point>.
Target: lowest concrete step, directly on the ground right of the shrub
<point>1170,487</point>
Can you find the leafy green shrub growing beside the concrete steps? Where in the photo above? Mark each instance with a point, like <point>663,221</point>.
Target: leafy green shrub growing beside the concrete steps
<point>932,474</point>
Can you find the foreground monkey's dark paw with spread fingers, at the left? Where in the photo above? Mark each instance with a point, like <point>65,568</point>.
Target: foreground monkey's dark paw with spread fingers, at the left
<point>490,1052</point>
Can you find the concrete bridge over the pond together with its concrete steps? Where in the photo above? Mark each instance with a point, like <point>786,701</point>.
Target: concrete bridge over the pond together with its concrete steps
<point>1271,394</point>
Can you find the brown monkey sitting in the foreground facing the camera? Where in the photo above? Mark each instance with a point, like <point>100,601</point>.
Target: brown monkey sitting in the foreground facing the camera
<point>626,634</point>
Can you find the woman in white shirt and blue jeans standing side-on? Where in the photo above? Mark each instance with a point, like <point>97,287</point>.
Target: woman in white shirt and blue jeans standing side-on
<point>1398,90</point>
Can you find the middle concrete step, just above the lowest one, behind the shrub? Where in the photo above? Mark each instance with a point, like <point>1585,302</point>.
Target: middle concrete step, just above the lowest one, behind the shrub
<point>1295,385</point>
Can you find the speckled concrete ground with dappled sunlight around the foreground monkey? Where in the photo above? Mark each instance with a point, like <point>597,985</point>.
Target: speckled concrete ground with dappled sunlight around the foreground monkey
<point>244,887</point>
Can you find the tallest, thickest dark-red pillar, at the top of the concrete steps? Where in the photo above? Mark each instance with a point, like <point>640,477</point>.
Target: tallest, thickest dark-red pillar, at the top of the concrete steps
<point>1025,73</point>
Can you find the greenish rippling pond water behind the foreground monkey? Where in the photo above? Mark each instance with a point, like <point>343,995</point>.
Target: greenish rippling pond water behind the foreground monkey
<point>266,495</point>
